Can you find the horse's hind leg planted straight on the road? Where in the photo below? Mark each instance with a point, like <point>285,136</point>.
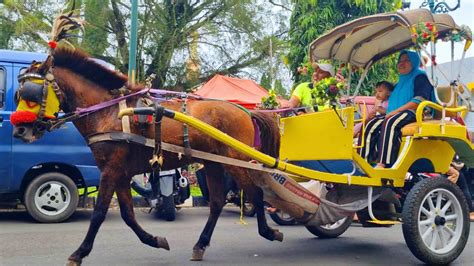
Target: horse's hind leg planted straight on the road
<point>215,183</point>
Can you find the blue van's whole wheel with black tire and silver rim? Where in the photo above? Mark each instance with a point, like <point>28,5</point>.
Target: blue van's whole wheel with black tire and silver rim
<point>51,198</point>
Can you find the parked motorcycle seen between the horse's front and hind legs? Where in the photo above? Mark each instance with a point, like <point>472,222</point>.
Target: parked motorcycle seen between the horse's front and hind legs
<point>164,192</point>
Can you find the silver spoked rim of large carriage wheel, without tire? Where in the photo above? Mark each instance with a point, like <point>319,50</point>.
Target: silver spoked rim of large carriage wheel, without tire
<point>440,221</point>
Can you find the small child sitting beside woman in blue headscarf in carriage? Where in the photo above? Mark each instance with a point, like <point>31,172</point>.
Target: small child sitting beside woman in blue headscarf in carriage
<point>383,89</point>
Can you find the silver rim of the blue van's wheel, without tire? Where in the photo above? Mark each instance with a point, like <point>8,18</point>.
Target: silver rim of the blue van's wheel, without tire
<point>52,198</point>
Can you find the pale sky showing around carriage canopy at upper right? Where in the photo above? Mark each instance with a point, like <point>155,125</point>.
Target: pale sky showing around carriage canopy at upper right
<point>463,15</point>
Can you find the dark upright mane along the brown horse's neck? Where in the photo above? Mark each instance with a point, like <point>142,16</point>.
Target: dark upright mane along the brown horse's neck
<point>82,64</point>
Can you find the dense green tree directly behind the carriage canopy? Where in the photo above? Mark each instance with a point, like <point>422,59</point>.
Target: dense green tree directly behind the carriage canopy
<point>311,18</point>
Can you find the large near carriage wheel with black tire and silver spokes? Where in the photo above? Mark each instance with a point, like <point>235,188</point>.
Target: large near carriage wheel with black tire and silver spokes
<point>442,225</point>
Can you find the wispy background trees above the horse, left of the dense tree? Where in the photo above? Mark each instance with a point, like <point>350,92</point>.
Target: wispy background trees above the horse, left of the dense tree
<point>230,41</point>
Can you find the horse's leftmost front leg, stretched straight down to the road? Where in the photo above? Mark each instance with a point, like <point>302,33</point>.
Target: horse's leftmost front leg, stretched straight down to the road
<point>106,190</point>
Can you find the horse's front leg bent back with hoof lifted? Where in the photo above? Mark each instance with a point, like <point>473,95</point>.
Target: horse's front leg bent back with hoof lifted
<point>126,210</point>
